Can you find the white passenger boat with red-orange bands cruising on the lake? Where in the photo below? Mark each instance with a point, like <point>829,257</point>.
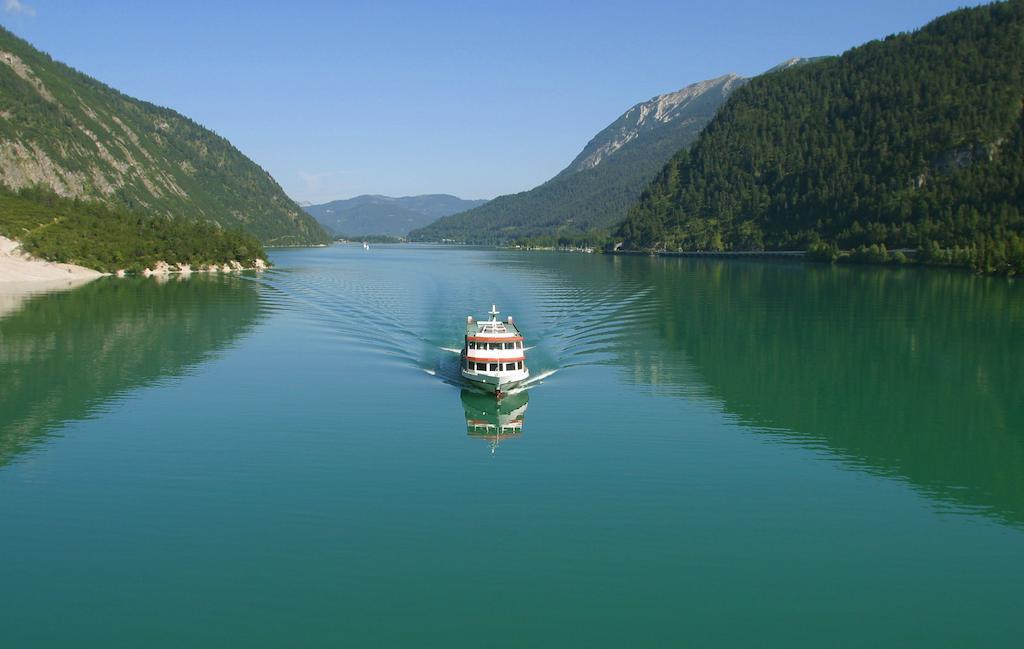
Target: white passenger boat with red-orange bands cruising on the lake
<point>493,356</point>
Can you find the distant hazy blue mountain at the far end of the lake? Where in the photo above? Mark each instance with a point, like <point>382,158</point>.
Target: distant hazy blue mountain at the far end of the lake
<point>371,214</point>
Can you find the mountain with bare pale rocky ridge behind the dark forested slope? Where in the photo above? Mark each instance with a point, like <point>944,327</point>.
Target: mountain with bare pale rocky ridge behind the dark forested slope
<point>600,186</point>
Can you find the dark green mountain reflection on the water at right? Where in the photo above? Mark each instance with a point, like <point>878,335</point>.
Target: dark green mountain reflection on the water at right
<point>915,374</point>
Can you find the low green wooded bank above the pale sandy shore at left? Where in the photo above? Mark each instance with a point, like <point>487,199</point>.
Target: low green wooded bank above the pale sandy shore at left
<point>96,236</point>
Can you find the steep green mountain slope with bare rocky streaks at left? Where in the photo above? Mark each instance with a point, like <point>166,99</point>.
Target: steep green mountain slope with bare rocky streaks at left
<point>63,131</point>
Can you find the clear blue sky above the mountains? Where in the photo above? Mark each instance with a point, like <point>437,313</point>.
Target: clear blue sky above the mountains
<point>474,99</point>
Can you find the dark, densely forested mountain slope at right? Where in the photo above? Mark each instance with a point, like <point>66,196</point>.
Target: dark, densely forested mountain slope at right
<point>912,142</point>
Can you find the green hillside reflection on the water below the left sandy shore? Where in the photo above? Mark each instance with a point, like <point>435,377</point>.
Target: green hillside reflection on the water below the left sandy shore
<point>63,356</point>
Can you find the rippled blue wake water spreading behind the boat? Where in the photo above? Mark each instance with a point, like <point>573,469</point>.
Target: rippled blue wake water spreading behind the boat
<point>411,306</point>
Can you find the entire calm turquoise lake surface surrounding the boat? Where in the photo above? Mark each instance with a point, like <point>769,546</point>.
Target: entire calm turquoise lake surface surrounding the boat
<point>719,454</point>
